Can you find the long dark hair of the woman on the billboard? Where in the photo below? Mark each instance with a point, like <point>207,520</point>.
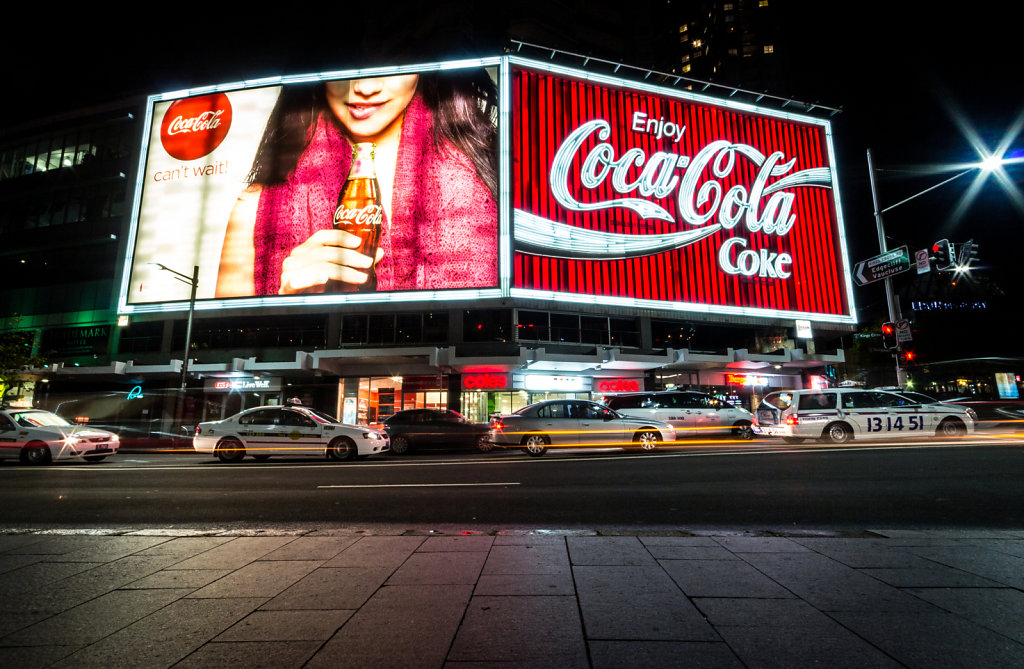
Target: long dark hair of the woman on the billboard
<point>464,107</point>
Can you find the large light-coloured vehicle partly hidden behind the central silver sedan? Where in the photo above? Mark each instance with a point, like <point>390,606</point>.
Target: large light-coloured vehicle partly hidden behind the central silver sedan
<point>690,412</point>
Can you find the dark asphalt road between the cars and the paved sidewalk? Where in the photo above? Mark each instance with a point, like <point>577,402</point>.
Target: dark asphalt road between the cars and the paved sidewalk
<point>753,486</point>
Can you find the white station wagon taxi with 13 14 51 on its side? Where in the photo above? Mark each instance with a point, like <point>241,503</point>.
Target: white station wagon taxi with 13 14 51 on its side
<point>840,415</point>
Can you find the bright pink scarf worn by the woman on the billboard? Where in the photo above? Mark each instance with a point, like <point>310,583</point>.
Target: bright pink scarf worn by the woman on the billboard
<point>444,228</point>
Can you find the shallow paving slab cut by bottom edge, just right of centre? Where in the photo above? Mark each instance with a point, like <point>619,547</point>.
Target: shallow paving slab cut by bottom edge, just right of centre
<point>670,655</point>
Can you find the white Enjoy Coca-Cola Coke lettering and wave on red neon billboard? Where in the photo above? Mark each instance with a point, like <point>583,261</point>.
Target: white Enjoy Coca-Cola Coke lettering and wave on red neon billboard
<point>698,184</point>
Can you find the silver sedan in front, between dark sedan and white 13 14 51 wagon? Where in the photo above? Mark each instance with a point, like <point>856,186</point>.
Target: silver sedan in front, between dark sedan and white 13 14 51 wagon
<point>576,424</point>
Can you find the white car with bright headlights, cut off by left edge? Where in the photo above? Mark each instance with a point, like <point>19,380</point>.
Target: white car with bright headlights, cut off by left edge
<point>37,437</point>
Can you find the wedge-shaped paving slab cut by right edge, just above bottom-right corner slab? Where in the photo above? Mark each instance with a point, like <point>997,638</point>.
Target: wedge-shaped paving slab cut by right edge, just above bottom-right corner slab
<point>1001,610</point>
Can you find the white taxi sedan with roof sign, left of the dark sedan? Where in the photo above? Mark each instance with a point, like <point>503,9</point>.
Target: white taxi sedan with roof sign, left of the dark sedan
<point>286,431</point>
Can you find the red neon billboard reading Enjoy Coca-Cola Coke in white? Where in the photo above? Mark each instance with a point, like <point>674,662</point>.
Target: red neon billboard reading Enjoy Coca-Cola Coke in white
<point>643,196</point>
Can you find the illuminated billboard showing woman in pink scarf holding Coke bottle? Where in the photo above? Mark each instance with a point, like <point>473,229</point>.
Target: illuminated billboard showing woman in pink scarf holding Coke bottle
<point>251,184</point>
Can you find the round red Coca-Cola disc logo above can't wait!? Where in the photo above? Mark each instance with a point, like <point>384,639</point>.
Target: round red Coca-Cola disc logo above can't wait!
<point>195,127</point>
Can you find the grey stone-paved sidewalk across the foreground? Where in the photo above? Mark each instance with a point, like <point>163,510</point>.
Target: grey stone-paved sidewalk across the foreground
<point>516,599</point>
